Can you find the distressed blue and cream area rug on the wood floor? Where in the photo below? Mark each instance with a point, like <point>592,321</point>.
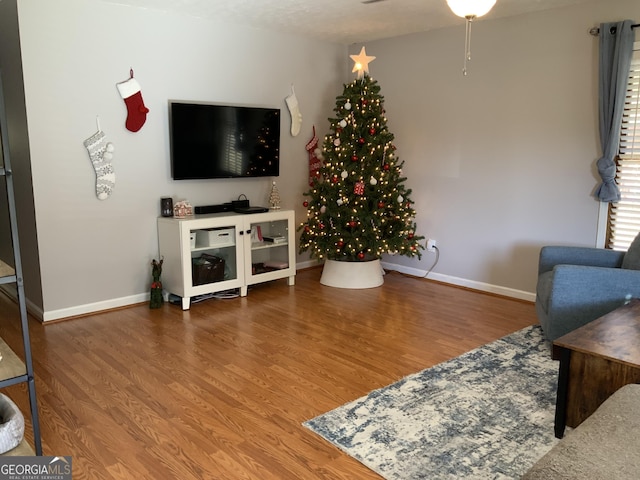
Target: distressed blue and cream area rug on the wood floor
<point>487,414</point>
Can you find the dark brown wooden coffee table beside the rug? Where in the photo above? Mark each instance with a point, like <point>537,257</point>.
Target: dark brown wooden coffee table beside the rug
<point>595,361</point>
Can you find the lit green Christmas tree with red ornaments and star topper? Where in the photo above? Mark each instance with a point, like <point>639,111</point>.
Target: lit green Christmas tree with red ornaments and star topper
<point>358,207</point>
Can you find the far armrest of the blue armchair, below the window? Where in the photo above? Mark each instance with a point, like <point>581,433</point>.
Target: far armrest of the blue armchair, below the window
<point>550,256</point>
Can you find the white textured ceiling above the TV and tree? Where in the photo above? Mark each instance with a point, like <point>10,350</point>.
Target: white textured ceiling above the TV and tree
<point>339,21</point>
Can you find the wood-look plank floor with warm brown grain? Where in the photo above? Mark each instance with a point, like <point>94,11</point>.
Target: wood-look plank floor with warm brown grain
<point>220,391</point>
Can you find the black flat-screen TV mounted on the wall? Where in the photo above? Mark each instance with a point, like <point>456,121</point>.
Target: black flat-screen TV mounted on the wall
<point>223,141</point>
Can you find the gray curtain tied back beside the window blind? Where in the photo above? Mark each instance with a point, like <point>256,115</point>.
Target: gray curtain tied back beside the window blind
<point>616,49</point>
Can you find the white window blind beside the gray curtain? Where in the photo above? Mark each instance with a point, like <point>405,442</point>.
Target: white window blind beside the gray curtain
<point>624,216</point>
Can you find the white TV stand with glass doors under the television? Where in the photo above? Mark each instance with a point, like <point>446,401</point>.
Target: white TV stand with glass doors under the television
<point>241,240</point>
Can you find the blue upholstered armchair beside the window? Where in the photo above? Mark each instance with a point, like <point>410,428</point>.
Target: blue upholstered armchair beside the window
<point>579,284</point>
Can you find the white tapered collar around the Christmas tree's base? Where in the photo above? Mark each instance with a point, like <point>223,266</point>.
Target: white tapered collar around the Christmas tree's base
<point>352,274</point>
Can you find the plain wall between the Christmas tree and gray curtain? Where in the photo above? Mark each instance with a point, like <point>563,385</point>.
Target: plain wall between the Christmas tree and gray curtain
<point>501,161</point>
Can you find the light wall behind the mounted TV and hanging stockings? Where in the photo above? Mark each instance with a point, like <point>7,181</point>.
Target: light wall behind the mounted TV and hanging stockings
<point>96,254</point>
